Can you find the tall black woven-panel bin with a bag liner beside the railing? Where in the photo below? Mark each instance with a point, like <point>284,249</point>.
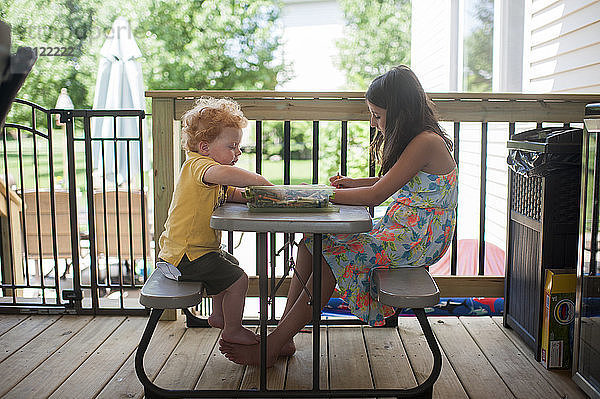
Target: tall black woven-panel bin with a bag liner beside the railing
<point>543,218</point>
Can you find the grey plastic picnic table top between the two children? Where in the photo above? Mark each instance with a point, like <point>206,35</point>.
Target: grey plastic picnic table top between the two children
<point>237,217</point>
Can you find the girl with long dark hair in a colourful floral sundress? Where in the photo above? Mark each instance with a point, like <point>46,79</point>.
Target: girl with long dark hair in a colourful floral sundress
<point>418,170</point>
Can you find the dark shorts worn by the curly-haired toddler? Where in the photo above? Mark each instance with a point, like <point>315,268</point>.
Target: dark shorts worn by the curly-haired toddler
<point>216,270</point>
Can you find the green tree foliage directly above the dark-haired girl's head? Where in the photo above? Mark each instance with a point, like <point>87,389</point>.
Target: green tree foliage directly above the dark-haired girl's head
<point>376,38</point>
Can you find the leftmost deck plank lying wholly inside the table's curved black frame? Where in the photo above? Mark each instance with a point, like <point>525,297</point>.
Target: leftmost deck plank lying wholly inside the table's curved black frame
<point>184,366</point>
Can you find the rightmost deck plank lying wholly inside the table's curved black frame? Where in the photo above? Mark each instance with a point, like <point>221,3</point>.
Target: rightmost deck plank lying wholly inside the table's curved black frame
<point>389,364</point>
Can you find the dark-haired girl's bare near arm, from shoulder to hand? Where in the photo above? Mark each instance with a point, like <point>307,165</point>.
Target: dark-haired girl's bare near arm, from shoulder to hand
<point>416,156</point>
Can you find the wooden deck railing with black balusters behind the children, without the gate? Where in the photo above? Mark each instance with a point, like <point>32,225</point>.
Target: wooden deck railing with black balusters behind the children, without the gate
<point>509,113</point>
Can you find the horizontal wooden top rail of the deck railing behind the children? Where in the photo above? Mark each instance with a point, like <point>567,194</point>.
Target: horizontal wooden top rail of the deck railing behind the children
<point>349,105</point>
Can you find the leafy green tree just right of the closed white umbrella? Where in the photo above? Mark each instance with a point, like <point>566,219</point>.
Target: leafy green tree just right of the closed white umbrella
<point>212,44</point>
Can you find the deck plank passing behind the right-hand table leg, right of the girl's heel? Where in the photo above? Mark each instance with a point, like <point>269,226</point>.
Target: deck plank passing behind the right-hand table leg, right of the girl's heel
<point>299,369</point>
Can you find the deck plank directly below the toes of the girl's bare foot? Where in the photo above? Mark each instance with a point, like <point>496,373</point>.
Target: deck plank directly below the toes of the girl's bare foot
<point>220,373</point>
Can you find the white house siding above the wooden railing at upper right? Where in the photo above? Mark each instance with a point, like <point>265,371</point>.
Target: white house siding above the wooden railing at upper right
<point>564,50</point>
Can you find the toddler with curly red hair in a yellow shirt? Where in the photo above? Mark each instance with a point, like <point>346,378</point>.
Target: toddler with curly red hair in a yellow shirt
<point>211,135</point>
